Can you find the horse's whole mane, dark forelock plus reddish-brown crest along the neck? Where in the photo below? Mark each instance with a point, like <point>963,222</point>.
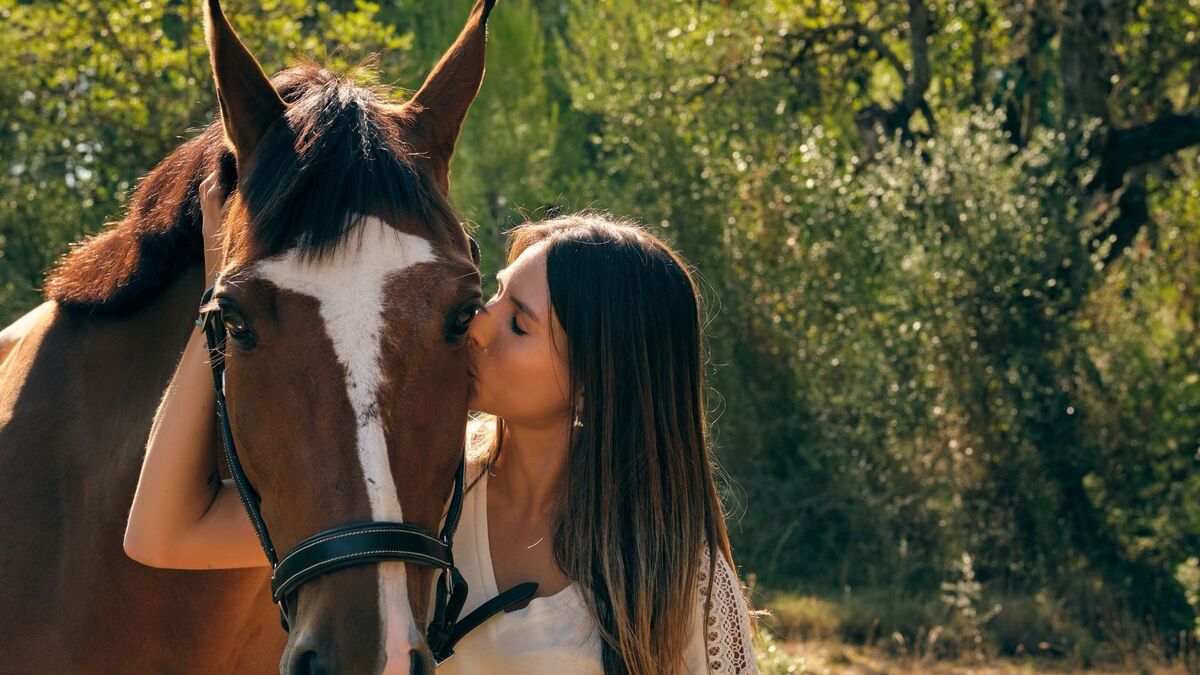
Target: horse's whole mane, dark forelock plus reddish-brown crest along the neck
<point>338,156</point>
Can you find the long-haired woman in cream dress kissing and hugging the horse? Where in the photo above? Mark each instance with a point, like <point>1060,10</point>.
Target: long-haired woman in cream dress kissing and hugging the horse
<point>590,467</point>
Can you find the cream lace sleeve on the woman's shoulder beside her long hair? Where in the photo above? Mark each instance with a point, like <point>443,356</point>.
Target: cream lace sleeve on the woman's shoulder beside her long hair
<point>722,641</point>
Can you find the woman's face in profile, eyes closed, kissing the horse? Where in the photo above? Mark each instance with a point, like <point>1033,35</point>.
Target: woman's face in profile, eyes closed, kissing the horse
<point>517,372</point>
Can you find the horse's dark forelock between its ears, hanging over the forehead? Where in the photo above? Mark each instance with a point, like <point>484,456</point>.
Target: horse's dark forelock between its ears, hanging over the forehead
<point>339,156</point>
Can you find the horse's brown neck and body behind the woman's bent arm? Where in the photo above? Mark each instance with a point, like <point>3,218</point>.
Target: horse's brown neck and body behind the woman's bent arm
<point>77,399</point>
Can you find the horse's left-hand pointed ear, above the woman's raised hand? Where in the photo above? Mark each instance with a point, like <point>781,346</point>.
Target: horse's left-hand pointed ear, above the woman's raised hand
<point>249,103</point>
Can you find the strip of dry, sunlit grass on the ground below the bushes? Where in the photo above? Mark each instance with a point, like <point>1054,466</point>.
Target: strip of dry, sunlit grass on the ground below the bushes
<point>887,634</point>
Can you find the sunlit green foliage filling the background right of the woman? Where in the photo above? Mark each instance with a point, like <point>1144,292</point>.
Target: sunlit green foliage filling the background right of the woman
<point>933,303</point>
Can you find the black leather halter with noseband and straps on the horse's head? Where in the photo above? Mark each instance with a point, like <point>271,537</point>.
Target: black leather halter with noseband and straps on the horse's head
<point>363,543</point>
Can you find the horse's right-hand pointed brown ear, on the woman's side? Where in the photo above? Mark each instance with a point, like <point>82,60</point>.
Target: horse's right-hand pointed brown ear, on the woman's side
<point>434,116</point>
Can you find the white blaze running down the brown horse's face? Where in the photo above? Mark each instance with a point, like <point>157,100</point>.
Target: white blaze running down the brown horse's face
<point>350,285</point>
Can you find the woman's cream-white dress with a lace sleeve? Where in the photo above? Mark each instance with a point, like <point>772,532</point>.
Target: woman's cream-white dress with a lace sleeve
<point>555,635</point>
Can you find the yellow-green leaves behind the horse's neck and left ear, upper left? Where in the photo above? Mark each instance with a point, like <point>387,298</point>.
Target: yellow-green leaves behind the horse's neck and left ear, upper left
<point>94,94</point>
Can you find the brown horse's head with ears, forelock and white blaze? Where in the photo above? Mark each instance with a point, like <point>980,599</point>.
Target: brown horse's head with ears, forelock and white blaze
<point>347,290</point>
